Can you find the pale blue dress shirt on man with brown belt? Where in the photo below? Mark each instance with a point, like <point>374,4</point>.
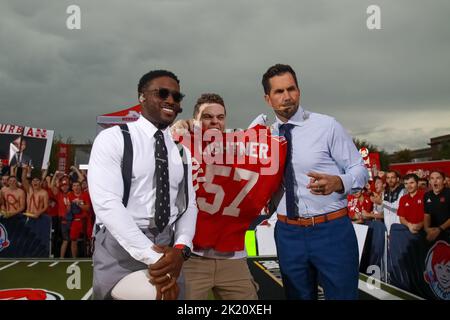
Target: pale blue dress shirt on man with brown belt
<point>321,144</point>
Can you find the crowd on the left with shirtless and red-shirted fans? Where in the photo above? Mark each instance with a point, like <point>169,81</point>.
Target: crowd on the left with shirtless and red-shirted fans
<point>64,197</point>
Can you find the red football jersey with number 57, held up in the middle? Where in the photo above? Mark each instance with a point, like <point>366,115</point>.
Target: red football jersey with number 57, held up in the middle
<point>235,175</point>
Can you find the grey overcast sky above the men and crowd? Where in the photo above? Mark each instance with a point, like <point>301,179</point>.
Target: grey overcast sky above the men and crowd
<point>389,86</point>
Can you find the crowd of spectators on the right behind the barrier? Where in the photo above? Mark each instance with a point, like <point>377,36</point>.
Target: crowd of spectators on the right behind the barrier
<point>422,204</point>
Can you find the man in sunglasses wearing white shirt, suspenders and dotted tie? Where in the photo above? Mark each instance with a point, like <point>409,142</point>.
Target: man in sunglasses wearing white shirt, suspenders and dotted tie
<point>137,233</point>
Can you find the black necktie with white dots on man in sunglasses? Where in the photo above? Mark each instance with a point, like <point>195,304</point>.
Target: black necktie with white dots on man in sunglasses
<point>162,205</point>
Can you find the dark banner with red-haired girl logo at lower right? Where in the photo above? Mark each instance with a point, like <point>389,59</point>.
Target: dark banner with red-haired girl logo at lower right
<point>417,266</point>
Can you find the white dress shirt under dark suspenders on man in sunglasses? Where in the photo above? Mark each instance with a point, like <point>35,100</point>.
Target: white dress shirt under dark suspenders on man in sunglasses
<point>106,188</point>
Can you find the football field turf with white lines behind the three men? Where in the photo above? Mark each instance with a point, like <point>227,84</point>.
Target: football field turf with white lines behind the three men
<point>72,279</point>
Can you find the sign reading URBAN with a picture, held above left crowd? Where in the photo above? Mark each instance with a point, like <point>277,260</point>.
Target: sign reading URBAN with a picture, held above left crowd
<point>21,145</point>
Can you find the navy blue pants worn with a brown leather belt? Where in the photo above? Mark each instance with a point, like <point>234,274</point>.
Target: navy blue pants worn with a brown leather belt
<point>325,254</point>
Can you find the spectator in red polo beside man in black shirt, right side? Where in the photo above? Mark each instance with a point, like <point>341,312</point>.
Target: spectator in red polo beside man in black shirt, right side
<point>411,208</point>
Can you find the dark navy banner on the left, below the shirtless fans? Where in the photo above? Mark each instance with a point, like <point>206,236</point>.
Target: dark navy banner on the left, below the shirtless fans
<point>23,237</point>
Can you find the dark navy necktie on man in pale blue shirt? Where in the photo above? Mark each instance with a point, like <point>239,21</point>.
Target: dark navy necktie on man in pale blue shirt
<point>289,174</point>
